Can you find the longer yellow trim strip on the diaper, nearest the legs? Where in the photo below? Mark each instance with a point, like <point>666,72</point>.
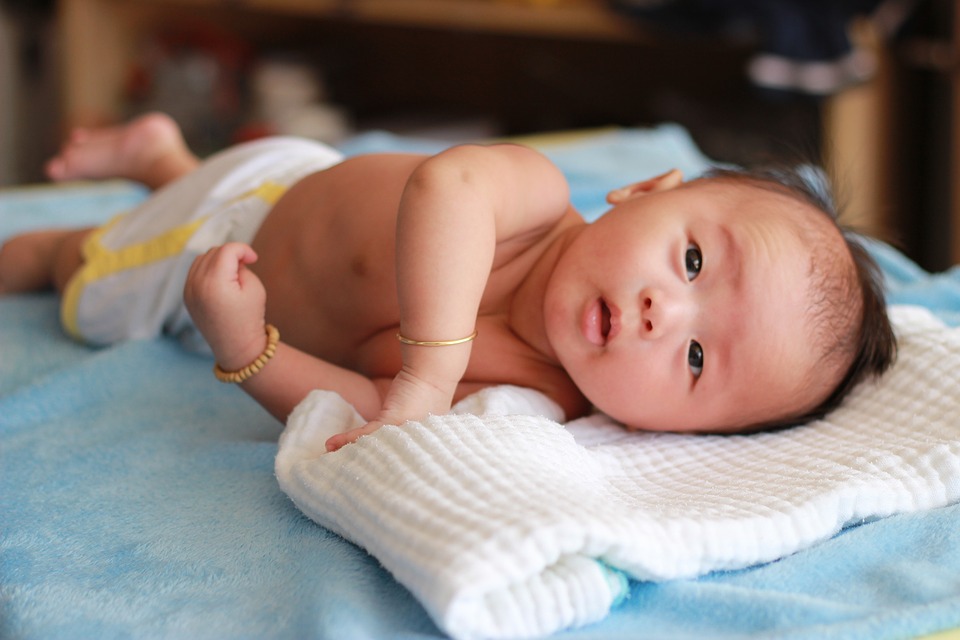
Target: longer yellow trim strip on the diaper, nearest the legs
<point>100,262</point>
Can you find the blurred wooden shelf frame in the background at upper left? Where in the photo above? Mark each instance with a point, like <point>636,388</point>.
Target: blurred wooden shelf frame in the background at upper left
<point>100,36</point>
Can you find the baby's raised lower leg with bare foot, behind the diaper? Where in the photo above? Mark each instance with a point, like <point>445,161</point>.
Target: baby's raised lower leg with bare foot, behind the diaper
<point>149,149</point>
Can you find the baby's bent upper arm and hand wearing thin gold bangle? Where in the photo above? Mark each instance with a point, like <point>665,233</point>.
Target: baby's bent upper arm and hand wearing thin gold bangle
<point>457,210</point>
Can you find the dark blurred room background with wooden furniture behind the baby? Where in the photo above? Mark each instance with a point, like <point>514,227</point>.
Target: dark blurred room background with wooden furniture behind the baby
<point>868,88</point>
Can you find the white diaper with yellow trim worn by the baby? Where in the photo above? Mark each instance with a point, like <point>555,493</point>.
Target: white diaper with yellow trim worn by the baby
<point>131,283</point>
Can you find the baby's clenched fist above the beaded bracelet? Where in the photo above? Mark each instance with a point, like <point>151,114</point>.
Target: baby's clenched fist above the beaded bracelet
<point>227,303</point>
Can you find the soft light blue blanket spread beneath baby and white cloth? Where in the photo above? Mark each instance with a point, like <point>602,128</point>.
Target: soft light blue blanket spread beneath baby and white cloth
<point>137,496</point>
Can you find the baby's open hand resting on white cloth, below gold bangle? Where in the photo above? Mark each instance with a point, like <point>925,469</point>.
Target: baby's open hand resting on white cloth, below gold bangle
<point>409,398</point>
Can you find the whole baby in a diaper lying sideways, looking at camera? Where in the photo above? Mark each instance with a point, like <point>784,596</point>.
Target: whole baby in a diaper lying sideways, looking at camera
<point>728,303</point>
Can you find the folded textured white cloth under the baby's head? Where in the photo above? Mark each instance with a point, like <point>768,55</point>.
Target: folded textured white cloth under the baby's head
<point>505,523</point>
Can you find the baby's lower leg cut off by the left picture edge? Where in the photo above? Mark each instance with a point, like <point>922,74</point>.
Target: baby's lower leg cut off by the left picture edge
<point>38,260</point>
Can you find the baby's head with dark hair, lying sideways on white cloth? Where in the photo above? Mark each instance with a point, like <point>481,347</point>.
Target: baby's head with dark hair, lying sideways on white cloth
<point>729,303</point>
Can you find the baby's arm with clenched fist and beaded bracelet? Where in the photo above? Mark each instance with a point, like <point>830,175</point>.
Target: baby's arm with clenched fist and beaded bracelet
<point>227,303</point>
